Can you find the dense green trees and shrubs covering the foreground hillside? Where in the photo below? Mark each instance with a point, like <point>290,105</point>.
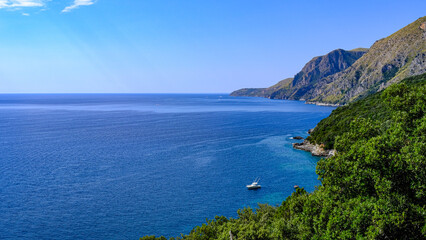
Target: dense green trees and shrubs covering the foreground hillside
<point>374,188</point>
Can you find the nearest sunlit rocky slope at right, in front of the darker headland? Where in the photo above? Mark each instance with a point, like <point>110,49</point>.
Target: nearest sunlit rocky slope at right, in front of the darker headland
<point>388,61</point>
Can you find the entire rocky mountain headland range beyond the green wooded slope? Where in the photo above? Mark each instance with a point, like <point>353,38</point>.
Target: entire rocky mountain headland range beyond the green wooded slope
<point>344,76</point>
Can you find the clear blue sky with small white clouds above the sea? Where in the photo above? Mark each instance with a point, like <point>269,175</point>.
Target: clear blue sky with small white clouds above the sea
<point>182,46</point>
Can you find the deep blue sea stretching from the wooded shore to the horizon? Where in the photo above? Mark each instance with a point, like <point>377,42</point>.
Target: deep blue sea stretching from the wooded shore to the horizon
<point>120,166</point>
